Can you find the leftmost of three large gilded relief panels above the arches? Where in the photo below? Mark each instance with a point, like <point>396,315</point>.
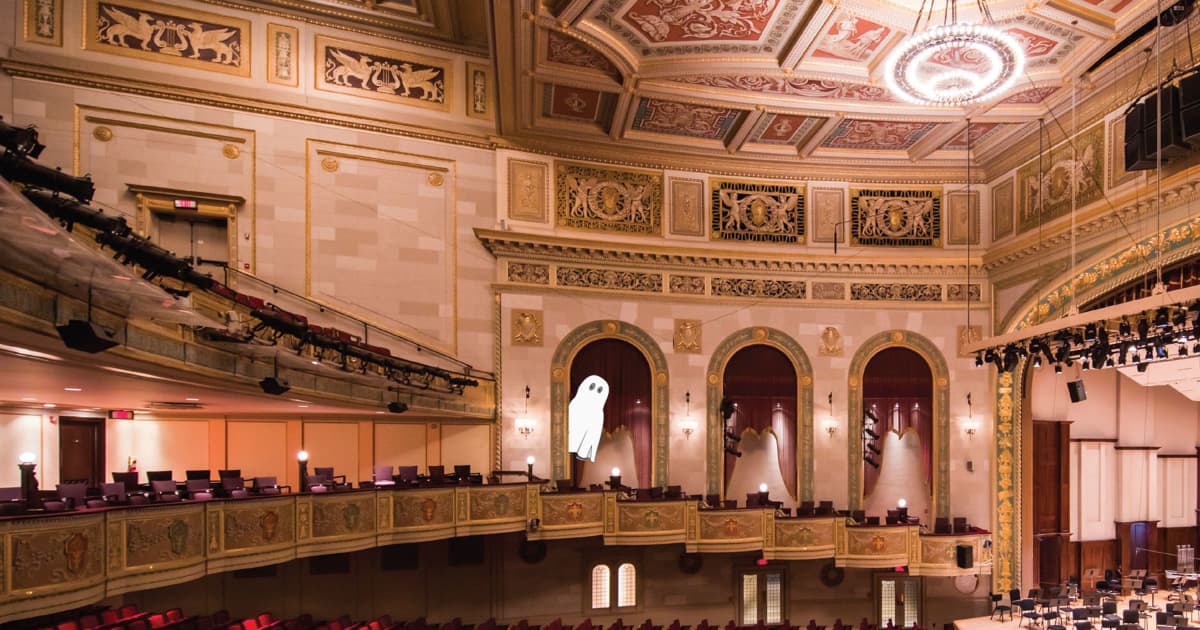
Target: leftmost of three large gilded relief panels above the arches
<point>599,200</point>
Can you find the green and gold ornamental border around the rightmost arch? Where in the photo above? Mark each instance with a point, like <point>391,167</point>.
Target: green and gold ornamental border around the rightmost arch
<point>928,351</point>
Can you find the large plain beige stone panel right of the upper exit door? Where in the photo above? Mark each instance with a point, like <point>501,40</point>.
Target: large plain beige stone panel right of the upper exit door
<point>381,239</point>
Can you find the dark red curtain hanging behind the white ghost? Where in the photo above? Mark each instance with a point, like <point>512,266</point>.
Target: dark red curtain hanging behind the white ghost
<point>629,397</point>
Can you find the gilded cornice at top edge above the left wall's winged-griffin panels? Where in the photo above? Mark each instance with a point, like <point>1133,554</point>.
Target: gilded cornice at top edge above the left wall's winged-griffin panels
<point>363,23</point>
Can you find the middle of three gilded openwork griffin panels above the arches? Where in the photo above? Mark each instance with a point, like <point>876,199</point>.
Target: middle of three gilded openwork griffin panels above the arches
<point>761,213</point>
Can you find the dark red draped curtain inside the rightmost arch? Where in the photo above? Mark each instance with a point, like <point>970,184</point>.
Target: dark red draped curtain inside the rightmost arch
<point>898,387</point>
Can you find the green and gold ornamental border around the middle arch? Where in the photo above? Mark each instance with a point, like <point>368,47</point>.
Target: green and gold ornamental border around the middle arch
<point>795,353</point>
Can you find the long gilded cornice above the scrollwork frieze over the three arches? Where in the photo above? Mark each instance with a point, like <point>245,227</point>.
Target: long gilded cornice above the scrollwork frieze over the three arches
<point>680,259</point>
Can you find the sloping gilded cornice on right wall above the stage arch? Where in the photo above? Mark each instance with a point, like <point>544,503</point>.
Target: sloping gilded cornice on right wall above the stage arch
<point>1179,189</point>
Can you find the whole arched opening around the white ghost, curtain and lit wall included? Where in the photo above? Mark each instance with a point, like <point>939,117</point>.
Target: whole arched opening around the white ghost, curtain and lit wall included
<point>627,442</point>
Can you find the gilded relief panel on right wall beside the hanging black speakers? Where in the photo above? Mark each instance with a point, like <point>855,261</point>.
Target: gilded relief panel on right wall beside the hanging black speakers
<point>1071,166</point>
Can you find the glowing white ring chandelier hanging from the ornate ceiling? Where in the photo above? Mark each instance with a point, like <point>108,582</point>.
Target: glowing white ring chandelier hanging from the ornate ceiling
<point>955,65</point>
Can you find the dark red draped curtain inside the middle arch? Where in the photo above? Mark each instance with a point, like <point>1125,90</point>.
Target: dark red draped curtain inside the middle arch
<point>763,382</point>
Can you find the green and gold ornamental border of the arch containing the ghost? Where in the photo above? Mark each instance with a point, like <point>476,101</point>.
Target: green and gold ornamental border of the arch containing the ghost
<point>560,397</point>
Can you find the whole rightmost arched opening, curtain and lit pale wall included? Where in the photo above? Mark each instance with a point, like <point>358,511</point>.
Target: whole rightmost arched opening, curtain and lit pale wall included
<point>898,437</point>
